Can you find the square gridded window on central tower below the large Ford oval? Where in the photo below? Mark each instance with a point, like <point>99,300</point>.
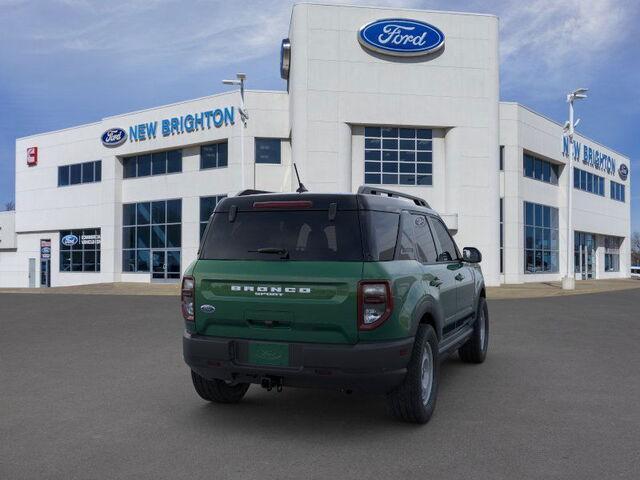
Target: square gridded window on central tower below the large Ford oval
<point>402,155</point>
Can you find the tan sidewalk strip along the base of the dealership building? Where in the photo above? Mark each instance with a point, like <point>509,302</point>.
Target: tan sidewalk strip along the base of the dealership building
<point>525,290</point>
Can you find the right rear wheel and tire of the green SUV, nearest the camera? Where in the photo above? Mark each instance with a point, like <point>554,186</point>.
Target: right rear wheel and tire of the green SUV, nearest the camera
<point>415,400</point>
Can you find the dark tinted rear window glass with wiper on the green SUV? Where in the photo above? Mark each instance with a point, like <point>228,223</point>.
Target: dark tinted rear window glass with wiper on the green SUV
<point>303,235</point>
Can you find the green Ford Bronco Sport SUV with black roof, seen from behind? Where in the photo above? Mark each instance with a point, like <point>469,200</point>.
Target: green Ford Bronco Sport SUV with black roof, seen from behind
<point>363,292</point>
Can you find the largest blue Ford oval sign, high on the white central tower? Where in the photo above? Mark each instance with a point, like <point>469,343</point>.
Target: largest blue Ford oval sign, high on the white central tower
<point>401,37</point>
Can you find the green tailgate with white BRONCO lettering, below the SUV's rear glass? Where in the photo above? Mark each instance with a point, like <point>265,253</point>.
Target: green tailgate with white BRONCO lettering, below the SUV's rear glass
<point>290,301</point>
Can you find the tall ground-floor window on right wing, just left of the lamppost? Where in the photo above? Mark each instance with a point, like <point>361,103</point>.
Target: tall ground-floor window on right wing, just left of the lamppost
<point>541,244</point>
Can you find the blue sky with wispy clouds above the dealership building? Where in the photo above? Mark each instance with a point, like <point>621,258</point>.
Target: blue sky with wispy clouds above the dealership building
<point>68,62</point>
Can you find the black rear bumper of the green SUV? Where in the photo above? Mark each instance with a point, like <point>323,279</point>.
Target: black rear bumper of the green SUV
<point>368,367</point>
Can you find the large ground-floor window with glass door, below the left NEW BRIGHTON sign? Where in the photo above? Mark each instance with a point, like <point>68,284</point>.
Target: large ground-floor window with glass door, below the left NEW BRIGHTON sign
<point>151,227</point>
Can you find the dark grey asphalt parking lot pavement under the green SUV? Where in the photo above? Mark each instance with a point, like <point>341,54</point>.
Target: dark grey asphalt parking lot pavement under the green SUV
<point>95,387</point>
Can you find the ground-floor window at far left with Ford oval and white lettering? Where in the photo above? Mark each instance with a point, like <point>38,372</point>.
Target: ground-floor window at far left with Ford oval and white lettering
<point>80,250</point>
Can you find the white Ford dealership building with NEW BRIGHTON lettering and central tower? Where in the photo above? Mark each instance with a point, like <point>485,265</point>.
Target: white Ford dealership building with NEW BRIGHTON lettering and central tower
<point>401,99</point>
